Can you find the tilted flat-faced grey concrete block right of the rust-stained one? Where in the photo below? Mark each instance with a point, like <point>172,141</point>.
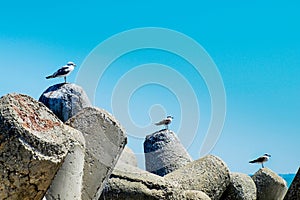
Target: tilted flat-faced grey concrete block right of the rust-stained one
<point>105,140</point>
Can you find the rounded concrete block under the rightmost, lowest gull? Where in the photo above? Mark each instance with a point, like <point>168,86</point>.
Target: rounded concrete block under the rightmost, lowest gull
<point>269,185</point>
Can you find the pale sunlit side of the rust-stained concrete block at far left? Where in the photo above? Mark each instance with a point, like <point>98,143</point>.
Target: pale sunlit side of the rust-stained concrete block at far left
<point>67,183</point>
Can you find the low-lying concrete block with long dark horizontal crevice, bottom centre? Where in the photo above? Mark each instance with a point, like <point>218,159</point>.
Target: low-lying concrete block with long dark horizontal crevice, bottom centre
<point>129,182</point>
